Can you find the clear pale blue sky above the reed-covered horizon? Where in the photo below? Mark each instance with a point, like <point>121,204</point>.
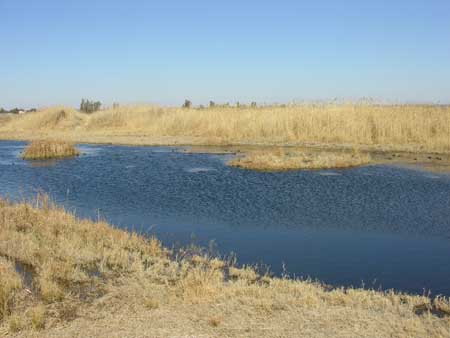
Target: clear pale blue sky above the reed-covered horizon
<point>136,51</point>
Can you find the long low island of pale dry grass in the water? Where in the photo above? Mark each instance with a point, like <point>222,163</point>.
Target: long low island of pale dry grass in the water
<point>283,159</point>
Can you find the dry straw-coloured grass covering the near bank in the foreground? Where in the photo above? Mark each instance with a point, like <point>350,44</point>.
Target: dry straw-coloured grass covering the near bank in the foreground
<point>119,284</point>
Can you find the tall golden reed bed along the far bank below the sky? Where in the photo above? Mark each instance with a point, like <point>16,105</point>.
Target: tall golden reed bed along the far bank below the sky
<point>384,127</point>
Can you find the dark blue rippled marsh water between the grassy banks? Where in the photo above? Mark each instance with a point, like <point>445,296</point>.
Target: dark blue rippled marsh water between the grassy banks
<point>378,226</point>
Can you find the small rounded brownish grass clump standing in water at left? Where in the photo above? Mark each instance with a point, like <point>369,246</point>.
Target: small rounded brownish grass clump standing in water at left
<point>48,149</point>
